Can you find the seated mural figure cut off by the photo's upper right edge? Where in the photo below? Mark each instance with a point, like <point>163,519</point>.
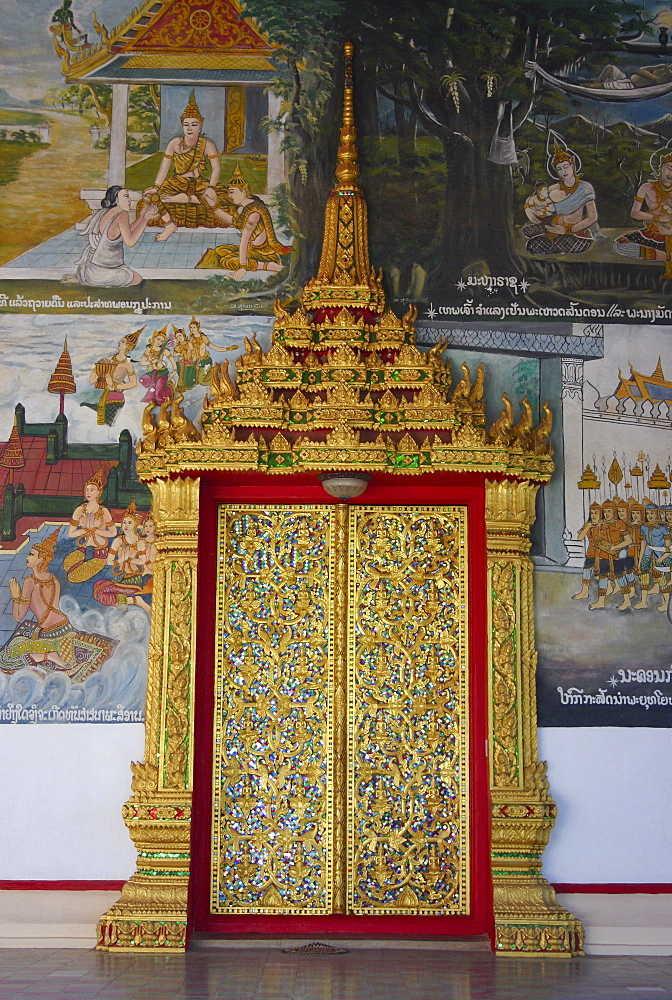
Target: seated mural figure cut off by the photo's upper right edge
<point>653,206</point>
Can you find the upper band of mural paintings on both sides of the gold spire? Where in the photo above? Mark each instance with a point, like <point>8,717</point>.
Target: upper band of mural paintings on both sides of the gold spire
<point>516,168</point>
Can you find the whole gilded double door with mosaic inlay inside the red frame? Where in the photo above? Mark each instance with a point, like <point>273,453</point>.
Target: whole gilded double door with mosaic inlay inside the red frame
<point>341,725</point>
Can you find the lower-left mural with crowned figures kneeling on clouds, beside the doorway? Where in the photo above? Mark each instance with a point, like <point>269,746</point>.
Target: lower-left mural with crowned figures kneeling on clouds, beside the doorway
<point>78,538</point>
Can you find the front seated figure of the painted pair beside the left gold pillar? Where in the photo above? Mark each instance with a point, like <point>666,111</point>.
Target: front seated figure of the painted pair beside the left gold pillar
<point>127,557</point>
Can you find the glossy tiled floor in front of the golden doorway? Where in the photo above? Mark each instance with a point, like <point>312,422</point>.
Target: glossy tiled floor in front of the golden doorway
<point>362,974</point>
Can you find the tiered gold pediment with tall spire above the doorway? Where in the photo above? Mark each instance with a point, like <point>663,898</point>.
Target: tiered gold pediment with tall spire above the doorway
<point>343,385</point>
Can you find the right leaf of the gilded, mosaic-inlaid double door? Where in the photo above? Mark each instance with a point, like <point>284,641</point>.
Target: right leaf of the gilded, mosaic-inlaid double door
<point>408,782</point>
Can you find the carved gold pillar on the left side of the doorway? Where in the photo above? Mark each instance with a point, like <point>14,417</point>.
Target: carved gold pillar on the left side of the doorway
<point>152,911</point>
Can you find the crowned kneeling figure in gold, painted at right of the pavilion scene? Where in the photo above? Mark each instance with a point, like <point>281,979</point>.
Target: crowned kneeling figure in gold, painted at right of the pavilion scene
<point>259,248</point>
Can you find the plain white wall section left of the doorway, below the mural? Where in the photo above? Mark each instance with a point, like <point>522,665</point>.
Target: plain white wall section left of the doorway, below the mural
<point>63,787</point>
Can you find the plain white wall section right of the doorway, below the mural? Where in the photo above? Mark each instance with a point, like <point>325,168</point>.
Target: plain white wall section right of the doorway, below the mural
<point>613,788</point>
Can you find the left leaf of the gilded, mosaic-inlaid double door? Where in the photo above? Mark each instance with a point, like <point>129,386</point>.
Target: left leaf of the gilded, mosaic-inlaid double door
<point>273,760</point>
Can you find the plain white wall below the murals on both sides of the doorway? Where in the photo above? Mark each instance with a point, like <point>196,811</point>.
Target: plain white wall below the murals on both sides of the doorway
<point>63,788</point>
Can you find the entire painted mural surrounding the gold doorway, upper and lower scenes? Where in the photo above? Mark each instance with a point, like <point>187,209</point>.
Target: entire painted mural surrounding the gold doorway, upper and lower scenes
<point>164,168</point>
